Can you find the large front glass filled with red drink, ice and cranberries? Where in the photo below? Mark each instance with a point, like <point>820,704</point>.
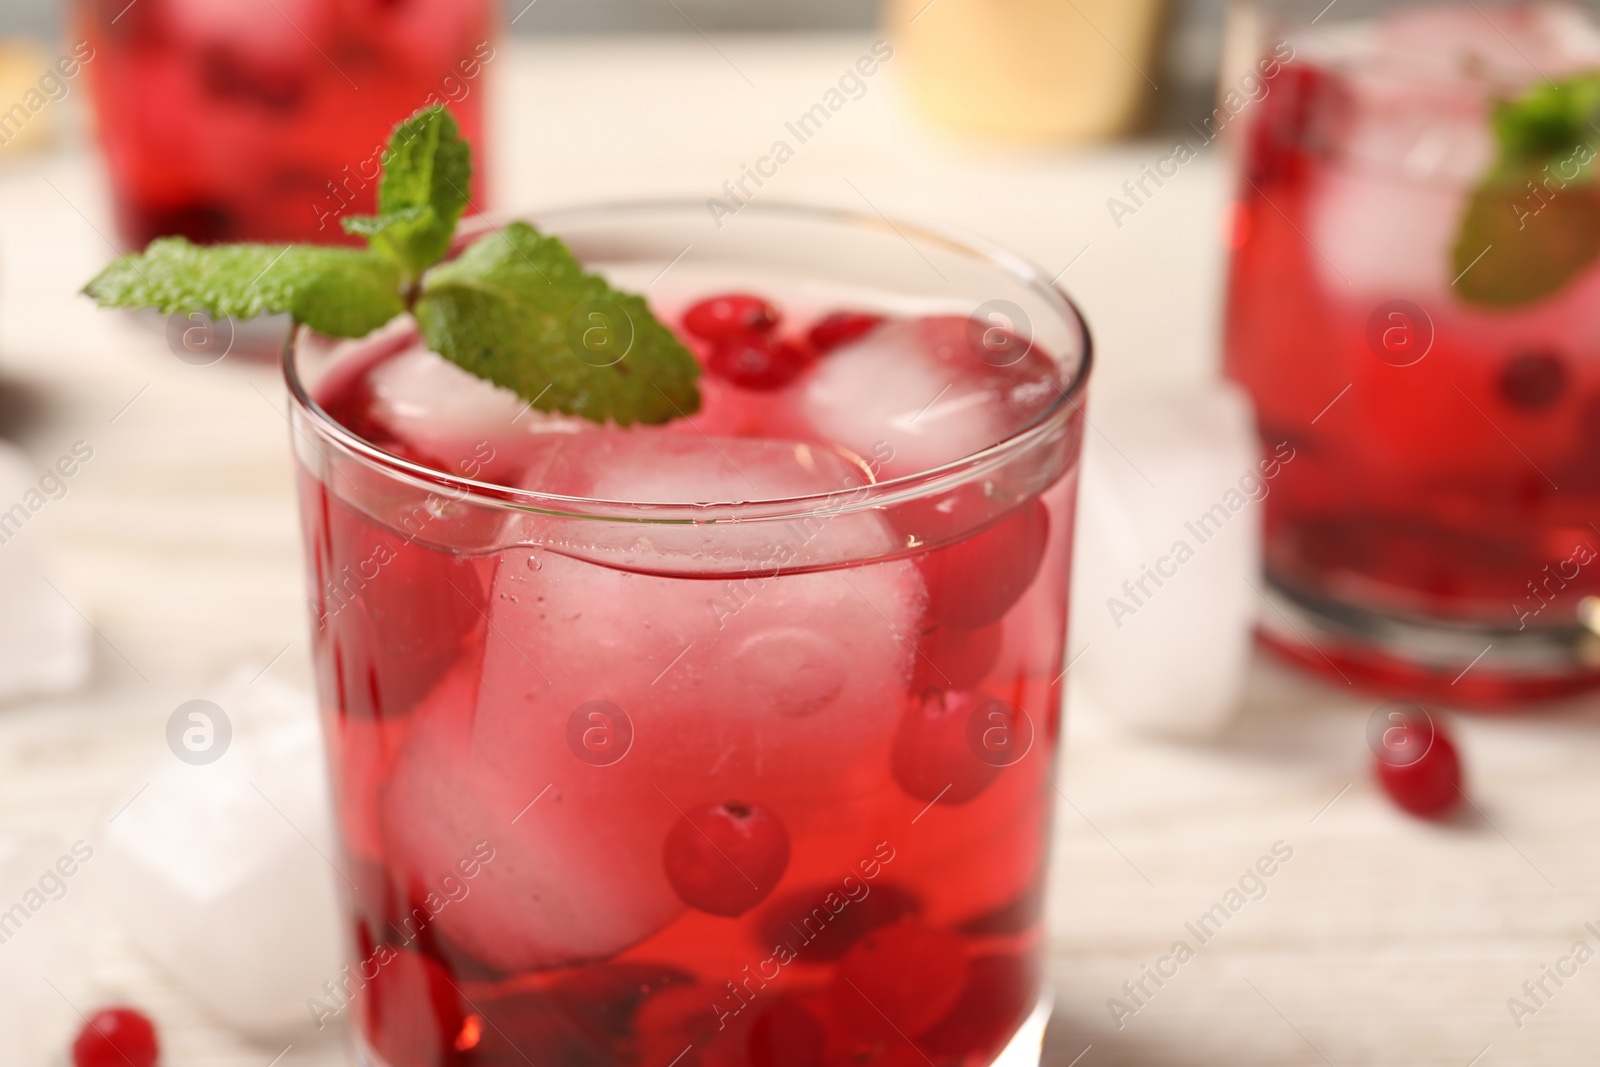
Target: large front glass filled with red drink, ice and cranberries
<point>751,765</point>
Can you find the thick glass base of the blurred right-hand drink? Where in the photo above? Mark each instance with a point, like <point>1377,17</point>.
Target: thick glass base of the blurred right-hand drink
<point>1466,666</point>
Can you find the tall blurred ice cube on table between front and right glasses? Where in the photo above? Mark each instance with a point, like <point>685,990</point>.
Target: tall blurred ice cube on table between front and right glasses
<point>1169,545</point>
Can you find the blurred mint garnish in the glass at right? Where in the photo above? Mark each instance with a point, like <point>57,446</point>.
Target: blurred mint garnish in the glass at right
<point>1534,222</point>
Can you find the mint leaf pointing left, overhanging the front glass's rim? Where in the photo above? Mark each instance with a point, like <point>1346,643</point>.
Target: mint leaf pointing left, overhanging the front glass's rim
<point>338,292</point>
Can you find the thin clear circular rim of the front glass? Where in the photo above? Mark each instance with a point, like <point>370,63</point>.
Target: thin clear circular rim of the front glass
<point>870,495</point>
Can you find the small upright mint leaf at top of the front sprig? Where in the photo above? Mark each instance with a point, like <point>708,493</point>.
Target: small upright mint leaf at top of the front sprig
<point>423,191</point>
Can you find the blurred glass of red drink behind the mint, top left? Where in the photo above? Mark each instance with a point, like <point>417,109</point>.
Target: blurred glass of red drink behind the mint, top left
<point>265,119</point>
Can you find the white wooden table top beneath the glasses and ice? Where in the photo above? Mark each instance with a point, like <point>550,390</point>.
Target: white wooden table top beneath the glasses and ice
<point>1383,941</point>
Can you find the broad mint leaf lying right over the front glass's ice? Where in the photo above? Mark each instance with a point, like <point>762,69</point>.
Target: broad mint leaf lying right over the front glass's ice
<point>518,310</point>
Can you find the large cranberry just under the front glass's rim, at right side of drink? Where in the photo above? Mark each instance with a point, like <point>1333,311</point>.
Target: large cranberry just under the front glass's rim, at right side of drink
<point>975,581</point>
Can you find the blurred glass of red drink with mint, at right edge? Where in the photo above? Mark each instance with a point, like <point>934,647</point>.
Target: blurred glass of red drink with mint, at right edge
<point>1414,310</point>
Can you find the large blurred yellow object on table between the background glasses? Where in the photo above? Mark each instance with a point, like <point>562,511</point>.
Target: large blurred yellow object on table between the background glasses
<point>1030,70</point>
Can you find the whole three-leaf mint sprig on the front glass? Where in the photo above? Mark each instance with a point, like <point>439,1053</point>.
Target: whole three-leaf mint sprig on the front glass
<point>514,308</point>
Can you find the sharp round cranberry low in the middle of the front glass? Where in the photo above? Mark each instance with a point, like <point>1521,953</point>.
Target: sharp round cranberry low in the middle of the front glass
<point>726,858</point>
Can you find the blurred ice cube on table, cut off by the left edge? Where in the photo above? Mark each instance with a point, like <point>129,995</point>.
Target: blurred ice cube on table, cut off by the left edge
<point>44,641</point>
